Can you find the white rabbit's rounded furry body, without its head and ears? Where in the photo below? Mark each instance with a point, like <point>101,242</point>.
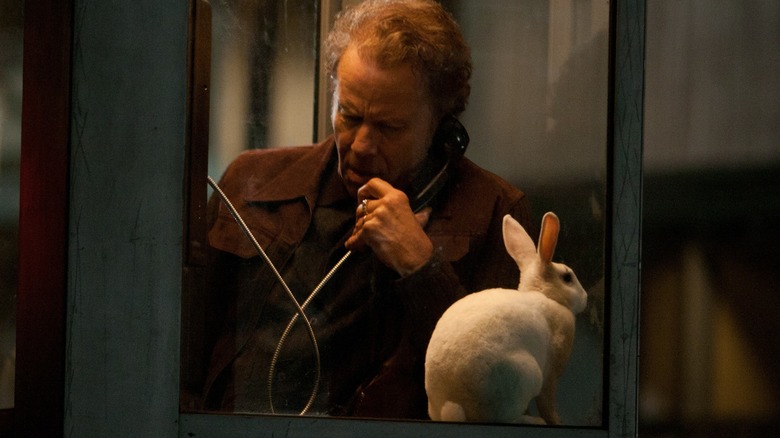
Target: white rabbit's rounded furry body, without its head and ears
<point>487,355</point>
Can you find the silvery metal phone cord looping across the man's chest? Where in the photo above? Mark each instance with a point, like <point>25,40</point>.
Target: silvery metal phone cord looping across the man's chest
<point>299,307</point>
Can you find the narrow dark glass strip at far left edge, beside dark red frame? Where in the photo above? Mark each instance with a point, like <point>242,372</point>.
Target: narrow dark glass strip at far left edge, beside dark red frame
<point>10,147</point>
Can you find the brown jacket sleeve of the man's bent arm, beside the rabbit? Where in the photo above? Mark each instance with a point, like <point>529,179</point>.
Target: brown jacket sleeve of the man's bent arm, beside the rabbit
<point>397,390</point>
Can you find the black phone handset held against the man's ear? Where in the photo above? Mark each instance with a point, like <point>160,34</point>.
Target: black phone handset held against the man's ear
<point>448,146</point>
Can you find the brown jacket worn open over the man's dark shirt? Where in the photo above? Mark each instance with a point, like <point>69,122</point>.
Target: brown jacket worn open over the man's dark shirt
<point>275,191</point>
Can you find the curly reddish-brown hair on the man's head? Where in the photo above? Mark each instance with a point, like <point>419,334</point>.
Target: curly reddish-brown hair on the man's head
<point>418,32</point>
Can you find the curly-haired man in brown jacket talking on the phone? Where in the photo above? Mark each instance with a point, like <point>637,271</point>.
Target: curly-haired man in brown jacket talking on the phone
<point>398,69</point>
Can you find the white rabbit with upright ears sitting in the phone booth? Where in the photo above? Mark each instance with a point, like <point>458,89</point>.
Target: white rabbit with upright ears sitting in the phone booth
<point>493,351</point>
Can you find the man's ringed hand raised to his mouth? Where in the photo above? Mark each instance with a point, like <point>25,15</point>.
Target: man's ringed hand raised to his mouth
<point>386,224</point>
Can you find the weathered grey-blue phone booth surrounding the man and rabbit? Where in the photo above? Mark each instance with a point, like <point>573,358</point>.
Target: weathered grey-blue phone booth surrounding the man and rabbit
<point>119,136</point>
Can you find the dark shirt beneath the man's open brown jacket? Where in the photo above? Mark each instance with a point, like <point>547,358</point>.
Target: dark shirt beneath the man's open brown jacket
<point>335,314</point>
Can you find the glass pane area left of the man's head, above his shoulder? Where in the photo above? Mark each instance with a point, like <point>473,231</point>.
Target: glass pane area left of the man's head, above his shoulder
<point>263,76</point>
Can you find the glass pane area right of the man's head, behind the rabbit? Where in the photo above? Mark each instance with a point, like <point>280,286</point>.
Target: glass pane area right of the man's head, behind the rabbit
<point>538,117</point>
